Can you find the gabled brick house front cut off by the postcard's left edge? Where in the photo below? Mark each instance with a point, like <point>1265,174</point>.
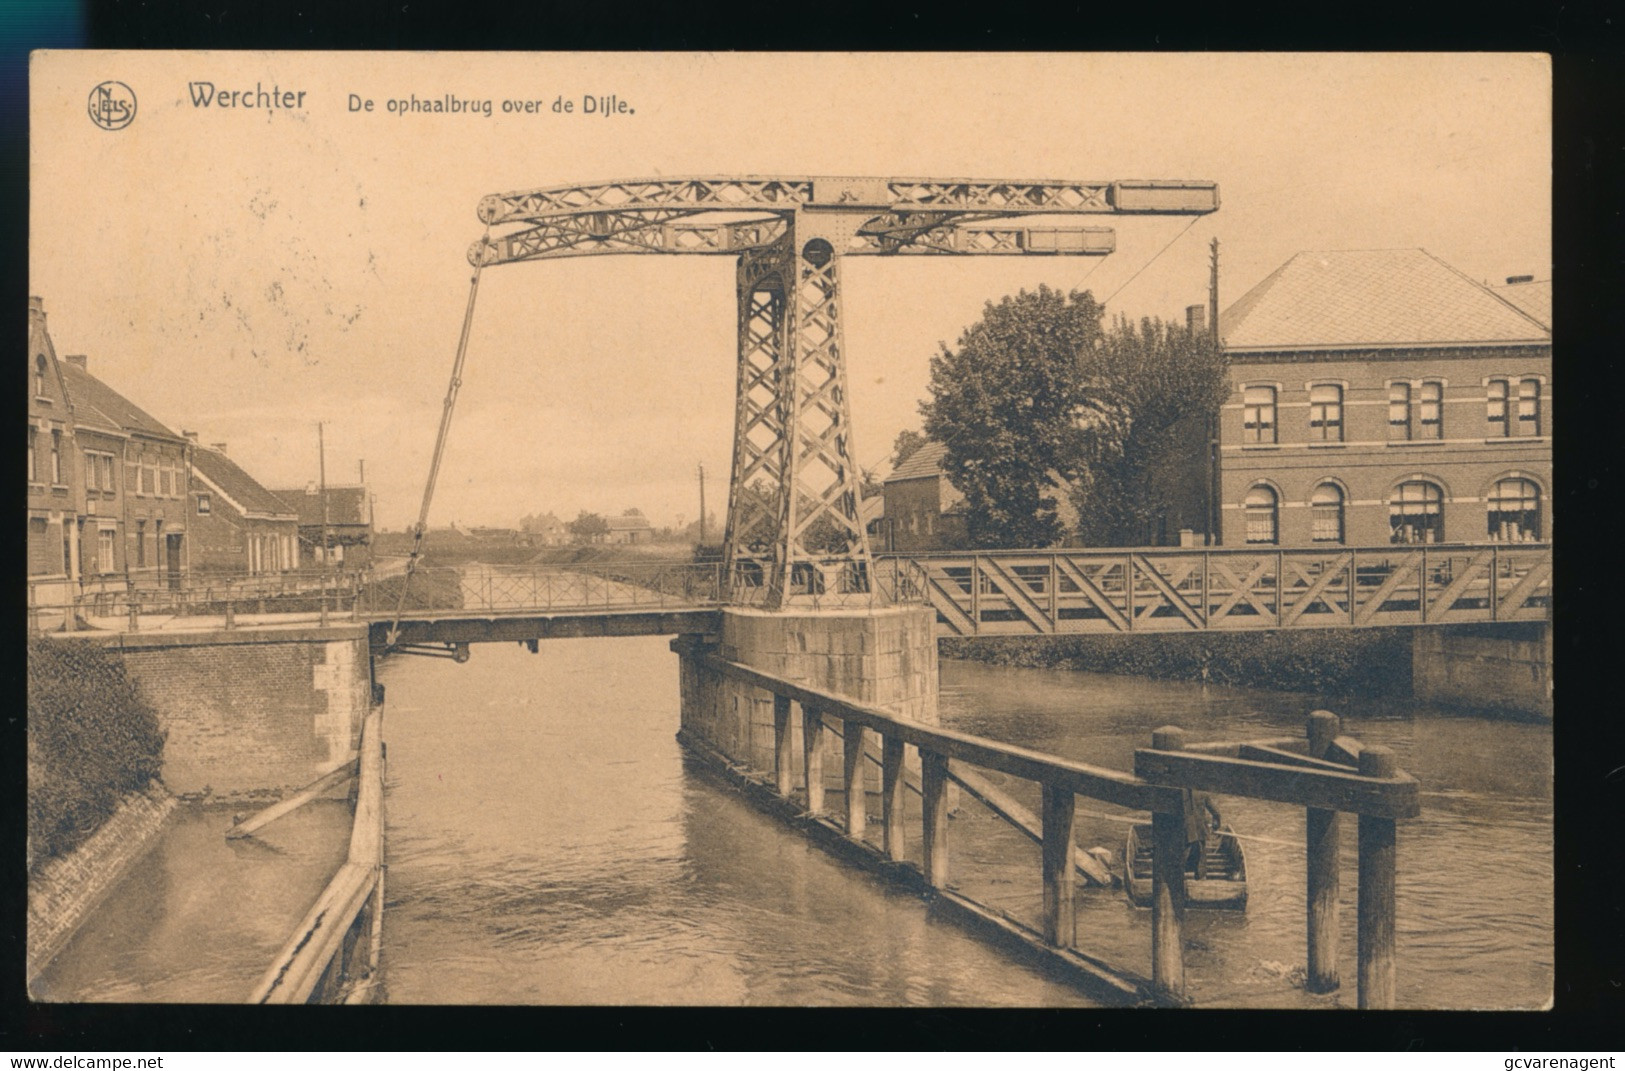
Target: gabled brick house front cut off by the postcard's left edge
<point>54,490</point>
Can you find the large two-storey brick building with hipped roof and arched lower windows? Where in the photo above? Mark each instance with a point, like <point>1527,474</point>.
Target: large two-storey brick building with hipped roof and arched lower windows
<point>1384,397</point>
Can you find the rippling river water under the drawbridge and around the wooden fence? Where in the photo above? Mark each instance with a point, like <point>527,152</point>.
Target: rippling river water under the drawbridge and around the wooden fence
<point>548,846</point>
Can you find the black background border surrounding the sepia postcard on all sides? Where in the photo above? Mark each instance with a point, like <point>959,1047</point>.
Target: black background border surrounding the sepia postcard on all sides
<point>1588,230</point>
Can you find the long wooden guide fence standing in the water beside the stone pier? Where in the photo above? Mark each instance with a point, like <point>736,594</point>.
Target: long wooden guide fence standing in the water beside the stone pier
<point>1311,773</point>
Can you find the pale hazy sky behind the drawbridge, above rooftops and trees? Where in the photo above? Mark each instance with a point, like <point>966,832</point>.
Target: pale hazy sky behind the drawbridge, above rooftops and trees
<point>251,272</point>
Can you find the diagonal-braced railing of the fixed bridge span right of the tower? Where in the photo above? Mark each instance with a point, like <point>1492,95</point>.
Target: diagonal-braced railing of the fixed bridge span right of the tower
<point>1246,588</point>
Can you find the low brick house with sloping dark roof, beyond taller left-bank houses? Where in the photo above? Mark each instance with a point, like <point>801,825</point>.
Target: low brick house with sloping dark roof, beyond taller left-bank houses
<point>238,524</point>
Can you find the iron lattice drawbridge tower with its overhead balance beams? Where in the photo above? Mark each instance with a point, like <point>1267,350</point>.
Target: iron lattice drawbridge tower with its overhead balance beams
<point>795,534</point>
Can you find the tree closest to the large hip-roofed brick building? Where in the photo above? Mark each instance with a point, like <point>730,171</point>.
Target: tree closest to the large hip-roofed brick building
<point>1151,392</point>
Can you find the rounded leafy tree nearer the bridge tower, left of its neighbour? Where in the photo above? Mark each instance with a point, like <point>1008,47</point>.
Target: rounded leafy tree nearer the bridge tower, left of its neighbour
<point>1007,404</point>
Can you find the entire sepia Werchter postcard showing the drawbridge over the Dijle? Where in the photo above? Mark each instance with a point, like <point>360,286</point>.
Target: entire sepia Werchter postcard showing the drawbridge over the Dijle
<point>791,531</point>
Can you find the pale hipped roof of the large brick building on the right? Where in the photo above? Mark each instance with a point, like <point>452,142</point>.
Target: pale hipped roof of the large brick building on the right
<point>1372,298</point>
